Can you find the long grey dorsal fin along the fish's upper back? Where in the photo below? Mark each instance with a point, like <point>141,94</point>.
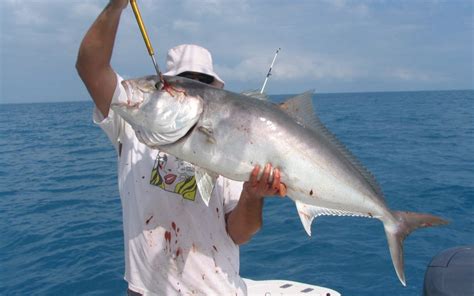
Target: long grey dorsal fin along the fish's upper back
<point>301,109</point>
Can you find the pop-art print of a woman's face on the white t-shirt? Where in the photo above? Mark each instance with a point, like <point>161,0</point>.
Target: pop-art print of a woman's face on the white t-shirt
<point>174,175</point>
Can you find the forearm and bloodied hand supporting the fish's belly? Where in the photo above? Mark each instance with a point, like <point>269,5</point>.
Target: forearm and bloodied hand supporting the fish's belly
<point>246,218</point>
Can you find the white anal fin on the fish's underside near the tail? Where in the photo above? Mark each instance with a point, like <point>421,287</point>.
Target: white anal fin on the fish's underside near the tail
<point>307,214</point>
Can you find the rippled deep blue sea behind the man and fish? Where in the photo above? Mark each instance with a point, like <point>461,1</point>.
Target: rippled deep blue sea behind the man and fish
<point>61,220</point>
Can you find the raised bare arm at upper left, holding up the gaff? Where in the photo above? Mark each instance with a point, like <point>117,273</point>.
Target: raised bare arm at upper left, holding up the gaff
<point>95,53</point>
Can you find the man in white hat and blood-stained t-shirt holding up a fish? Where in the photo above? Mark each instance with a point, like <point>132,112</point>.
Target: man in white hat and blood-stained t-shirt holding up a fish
<point>174,243</point>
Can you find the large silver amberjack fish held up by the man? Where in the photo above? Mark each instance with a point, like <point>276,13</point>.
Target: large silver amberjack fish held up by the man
<point>224,133</point>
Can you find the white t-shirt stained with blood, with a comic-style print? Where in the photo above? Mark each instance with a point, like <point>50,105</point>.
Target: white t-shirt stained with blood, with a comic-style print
<point>174,243</point>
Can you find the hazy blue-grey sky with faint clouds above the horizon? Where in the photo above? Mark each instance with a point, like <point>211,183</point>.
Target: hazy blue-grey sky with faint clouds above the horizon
<point>328,46</point>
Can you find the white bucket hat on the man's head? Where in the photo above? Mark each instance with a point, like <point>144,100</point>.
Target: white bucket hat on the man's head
<point>194,58</point>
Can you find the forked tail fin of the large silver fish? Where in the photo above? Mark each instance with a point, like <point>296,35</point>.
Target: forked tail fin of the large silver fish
<point>406,222</point>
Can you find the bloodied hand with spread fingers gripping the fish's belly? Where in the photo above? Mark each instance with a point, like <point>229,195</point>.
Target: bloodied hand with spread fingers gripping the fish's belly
<point>258,188</point>
